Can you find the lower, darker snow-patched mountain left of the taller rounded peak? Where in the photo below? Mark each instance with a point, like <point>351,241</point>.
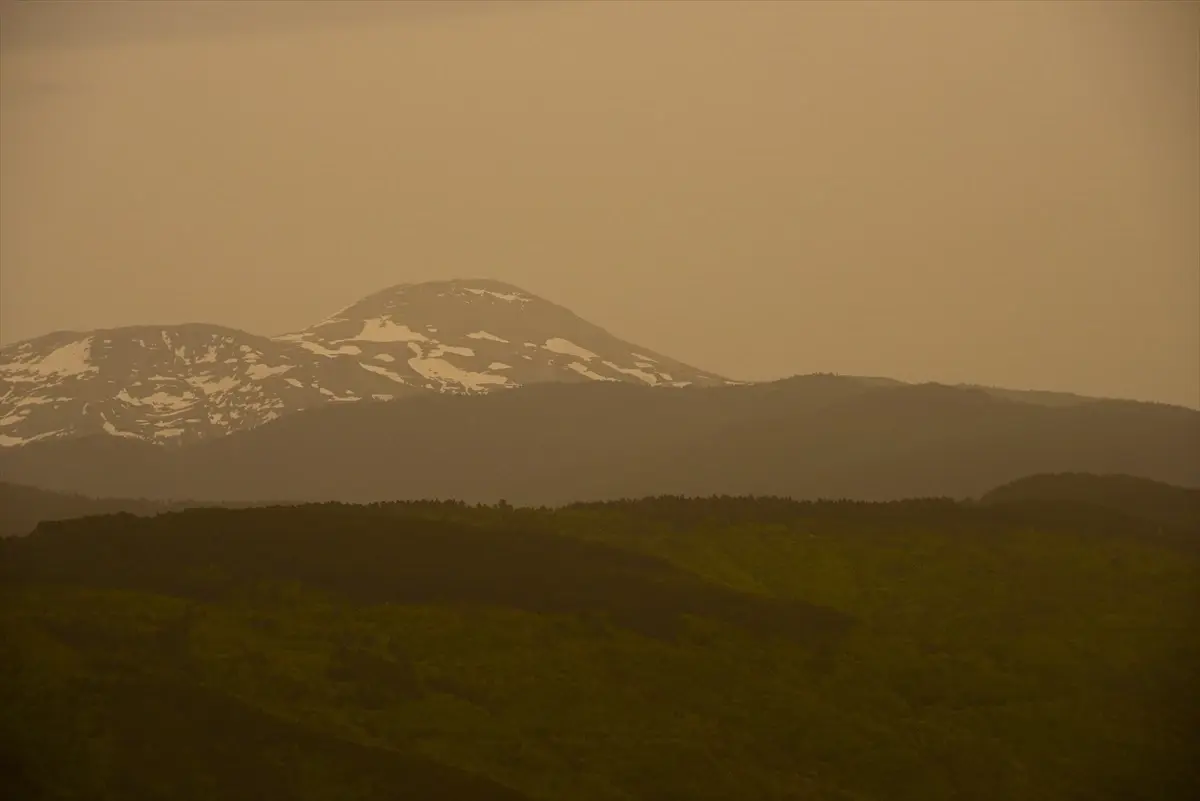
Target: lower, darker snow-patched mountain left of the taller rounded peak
<point>166,384</point>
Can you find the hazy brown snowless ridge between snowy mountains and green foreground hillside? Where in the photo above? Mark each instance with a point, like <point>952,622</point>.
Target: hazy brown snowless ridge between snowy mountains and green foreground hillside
<point>811,437</point>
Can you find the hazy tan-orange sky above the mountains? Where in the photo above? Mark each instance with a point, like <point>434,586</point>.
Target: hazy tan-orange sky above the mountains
<point>987,192</point>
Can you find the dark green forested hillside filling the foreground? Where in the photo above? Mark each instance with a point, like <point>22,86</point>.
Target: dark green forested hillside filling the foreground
<point>665,649</point>
